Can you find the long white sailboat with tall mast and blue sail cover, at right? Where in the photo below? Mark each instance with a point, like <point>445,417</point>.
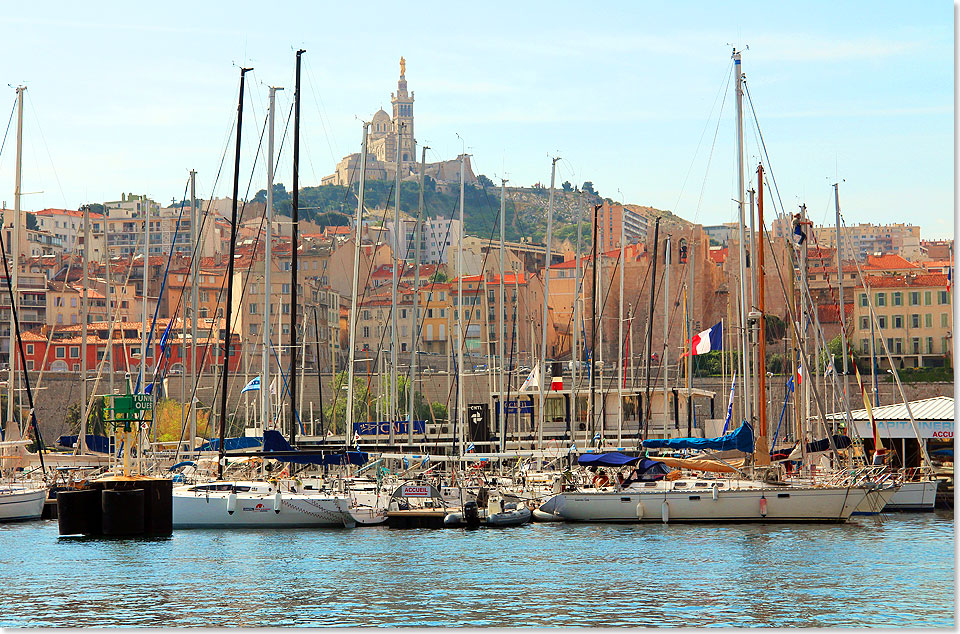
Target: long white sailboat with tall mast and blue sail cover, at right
<point>756,494</point>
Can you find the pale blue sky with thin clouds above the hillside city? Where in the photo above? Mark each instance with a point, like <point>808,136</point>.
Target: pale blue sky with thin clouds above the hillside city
<point>635,97</point>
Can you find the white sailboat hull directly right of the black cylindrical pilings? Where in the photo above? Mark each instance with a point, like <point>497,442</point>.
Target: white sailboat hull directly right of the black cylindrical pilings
<point>201,509</point>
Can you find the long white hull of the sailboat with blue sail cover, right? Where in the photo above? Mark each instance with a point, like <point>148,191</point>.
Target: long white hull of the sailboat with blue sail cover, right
<point>747,504</point>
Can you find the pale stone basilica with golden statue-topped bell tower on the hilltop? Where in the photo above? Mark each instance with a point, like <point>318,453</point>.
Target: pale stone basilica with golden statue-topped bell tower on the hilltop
<point>382,156</point>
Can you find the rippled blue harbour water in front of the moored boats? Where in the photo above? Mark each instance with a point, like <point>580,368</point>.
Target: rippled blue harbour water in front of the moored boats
<point>894,571</point>
